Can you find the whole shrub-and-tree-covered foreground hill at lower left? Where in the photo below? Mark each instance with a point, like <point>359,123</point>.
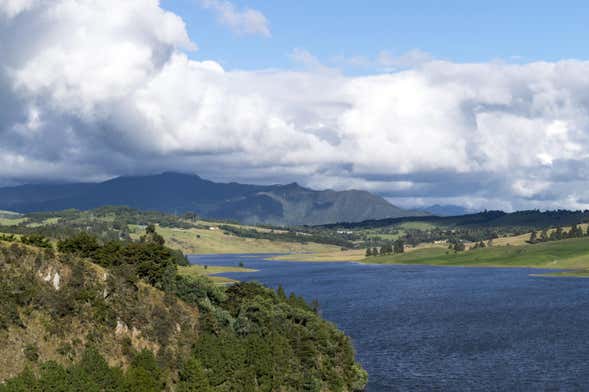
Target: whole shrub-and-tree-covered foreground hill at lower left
<point>116,316</point>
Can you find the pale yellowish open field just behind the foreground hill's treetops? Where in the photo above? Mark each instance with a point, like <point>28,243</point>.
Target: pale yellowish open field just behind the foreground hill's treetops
<point>206,241</point>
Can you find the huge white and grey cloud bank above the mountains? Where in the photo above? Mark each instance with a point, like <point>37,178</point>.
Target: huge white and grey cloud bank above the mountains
<point>93,89</point>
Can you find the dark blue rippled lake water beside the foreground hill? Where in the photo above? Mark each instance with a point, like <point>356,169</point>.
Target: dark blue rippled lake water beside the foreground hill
<point>421,328</point>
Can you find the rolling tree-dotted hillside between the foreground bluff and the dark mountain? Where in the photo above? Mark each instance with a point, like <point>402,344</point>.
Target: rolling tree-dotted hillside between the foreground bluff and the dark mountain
<point>183,233</point>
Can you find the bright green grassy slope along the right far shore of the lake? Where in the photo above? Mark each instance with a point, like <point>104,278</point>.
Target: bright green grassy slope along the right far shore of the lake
<point>566,254</point>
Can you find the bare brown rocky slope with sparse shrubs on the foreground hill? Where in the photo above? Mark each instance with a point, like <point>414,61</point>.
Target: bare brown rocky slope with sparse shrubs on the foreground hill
<point>51,304</point>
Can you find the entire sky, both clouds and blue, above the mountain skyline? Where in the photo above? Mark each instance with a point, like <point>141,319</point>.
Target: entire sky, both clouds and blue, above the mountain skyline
<point>478,104</point>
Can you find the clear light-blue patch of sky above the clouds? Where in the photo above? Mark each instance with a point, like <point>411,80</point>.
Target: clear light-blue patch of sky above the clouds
<point>459,31</point>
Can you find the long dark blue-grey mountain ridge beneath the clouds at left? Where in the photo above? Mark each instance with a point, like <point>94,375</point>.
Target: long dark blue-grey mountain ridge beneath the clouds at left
<point>178,193</point>
